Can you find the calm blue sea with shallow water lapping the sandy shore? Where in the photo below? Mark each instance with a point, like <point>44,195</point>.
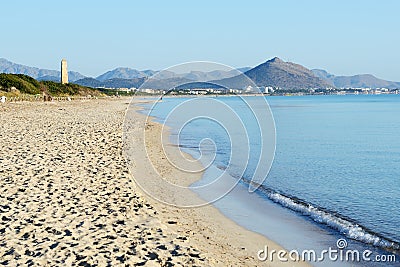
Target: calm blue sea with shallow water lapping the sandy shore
<point>330,170</point>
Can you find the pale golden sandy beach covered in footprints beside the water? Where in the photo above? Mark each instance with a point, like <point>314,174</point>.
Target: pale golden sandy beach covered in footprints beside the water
<point>67,196</point>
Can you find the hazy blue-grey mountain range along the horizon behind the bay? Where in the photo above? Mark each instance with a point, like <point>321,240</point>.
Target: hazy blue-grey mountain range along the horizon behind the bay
<point>274,72</point>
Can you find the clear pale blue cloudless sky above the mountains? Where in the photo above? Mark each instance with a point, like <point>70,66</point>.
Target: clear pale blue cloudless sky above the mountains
<point>343,37</point>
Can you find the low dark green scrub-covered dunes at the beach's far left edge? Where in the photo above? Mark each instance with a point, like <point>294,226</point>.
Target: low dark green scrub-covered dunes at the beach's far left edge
<point>16,84</point>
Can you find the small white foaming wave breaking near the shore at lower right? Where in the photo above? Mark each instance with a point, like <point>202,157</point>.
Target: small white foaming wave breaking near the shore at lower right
<point>333,220</point>
